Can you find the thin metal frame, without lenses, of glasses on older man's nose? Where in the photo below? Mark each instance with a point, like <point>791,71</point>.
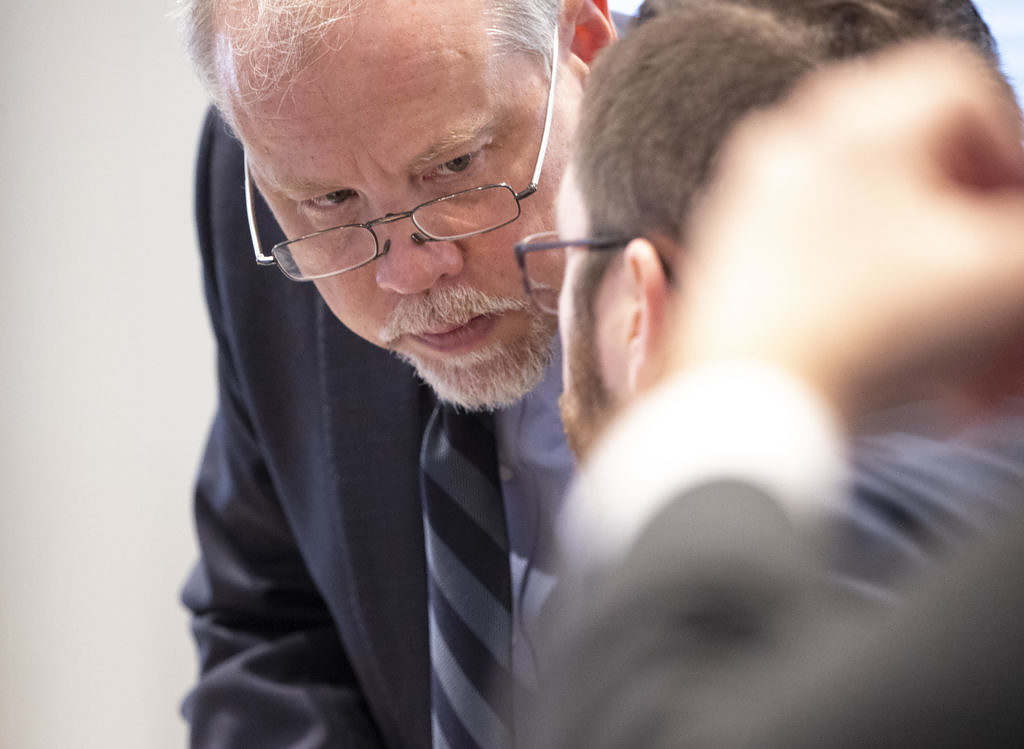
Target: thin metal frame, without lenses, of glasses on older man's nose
<point>420,236</point>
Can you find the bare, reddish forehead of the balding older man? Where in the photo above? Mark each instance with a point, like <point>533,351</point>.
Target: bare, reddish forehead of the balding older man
<point>393,79</point>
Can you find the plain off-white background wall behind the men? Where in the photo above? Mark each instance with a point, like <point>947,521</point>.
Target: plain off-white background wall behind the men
<point>107,385</point>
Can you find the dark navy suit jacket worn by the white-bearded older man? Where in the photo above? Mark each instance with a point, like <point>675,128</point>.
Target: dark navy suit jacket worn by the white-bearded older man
<point>310,597</point>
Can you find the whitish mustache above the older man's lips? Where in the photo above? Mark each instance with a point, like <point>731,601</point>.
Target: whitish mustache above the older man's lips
<point>454,306</point>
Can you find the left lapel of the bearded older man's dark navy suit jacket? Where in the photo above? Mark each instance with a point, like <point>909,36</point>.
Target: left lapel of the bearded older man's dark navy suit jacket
<point>374,419</point>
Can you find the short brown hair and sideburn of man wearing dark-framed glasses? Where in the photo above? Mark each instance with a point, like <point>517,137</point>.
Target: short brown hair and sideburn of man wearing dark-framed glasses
<point>656,108</point>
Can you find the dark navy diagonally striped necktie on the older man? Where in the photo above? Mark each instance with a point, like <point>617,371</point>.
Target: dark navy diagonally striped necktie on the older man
<point>471,597</point>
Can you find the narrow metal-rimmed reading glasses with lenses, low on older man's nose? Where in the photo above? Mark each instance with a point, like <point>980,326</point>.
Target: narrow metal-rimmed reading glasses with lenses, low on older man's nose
<point>451,218</point>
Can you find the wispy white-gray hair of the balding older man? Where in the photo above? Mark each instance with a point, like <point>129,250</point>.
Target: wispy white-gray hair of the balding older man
<point>281,38</point>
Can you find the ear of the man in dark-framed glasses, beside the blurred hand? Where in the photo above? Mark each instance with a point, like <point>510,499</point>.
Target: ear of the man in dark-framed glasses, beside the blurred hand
<point>650,289</point>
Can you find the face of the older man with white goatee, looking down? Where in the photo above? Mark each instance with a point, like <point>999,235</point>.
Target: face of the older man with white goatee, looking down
<point>408,105</point>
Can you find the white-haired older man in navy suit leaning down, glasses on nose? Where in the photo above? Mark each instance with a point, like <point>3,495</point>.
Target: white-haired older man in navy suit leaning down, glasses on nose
<point>373,552</point>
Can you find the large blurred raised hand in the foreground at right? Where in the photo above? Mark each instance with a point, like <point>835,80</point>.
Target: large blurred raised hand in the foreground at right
<point>868,235</point>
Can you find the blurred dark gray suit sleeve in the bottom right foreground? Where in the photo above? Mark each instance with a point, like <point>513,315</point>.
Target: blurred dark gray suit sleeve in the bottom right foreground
<point>721,630</point>
